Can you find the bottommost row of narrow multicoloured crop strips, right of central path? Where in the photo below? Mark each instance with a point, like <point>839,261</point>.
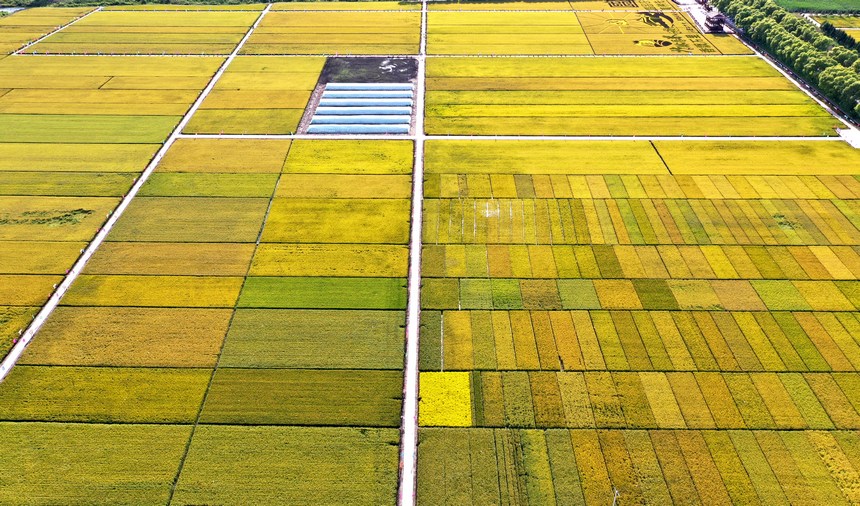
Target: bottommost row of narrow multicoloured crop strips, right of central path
<point>475,466</point>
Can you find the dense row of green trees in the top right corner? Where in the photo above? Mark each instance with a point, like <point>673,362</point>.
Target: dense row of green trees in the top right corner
<point>820,60</point>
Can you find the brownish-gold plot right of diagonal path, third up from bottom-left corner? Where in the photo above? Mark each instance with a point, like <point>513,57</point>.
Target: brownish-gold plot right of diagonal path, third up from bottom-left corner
<point>130,337</point>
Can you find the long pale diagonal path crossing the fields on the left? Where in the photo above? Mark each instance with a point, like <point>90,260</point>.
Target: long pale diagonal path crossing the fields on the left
<point>15,353</point>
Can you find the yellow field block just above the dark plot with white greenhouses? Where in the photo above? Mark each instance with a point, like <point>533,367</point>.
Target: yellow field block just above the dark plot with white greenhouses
<point>376,33</point>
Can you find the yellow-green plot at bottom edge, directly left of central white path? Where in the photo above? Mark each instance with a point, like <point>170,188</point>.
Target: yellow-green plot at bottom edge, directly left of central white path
<point>223,466</point>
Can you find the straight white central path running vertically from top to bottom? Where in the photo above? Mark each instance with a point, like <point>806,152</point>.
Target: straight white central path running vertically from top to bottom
<point>406,489</point>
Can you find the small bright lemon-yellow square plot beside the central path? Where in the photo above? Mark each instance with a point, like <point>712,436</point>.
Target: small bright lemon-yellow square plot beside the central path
<point>446,399</point>
